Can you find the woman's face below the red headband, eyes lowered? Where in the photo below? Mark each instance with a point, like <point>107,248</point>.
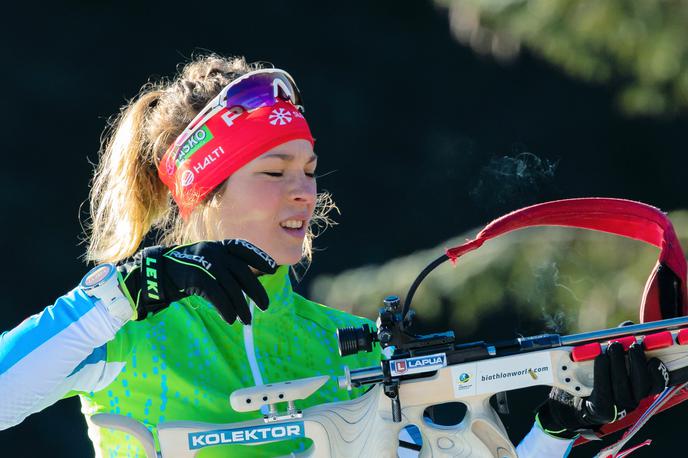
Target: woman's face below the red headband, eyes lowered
<point>270,201</point>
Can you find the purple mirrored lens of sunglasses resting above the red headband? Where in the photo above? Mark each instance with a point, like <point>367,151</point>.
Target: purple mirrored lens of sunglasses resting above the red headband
<point>259,91</point>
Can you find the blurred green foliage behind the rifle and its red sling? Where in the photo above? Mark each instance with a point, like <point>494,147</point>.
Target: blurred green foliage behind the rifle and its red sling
<point>555,279</point>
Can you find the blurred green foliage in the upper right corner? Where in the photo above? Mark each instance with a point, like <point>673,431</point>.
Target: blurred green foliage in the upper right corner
<point>641,46</point>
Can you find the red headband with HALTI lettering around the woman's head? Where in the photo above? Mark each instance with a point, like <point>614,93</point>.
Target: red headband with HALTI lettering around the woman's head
<point>226,142</point>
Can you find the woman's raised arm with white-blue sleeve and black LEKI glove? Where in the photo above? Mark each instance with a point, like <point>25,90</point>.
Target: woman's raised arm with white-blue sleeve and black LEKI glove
<point>62,349</point>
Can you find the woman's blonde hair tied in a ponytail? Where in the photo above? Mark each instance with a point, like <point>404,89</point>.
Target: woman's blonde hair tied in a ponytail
<point>127,198</point>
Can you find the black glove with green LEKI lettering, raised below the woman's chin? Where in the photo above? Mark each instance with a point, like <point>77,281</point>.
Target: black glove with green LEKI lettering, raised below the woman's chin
<point>218,271</point>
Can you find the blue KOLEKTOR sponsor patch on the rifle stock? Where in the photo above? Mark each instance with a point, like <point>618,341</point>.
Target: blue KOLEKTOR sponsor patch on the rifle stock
<point>249,435</point>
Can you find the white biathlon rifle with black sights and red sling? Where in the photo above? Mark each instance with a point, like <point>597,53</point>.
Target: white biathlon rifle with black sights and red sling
<point>426,370</point>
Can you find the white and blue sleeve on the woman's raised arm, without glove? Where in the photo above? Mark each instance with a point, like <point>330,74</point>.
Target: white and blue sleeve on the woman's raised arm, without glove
<point>53,352</point>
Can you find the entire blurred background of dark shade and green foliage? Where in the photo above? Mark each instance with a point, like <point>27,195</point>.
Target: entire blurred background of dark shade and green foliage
<point>431,119</point>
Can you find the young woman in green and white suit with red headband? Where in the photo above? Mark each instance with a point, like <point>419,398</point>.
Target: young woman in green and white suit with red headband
<point>219,163</point>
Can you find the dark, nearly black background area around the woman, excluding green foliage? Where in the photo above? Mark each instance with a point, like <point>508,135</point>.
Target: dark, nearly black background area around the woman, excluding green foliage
<point>409,122</point>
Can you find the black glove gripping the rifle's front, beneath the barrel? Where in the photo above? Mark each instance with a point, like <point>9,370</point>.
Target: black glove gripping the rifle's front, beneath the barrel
<point>617,389</point>
